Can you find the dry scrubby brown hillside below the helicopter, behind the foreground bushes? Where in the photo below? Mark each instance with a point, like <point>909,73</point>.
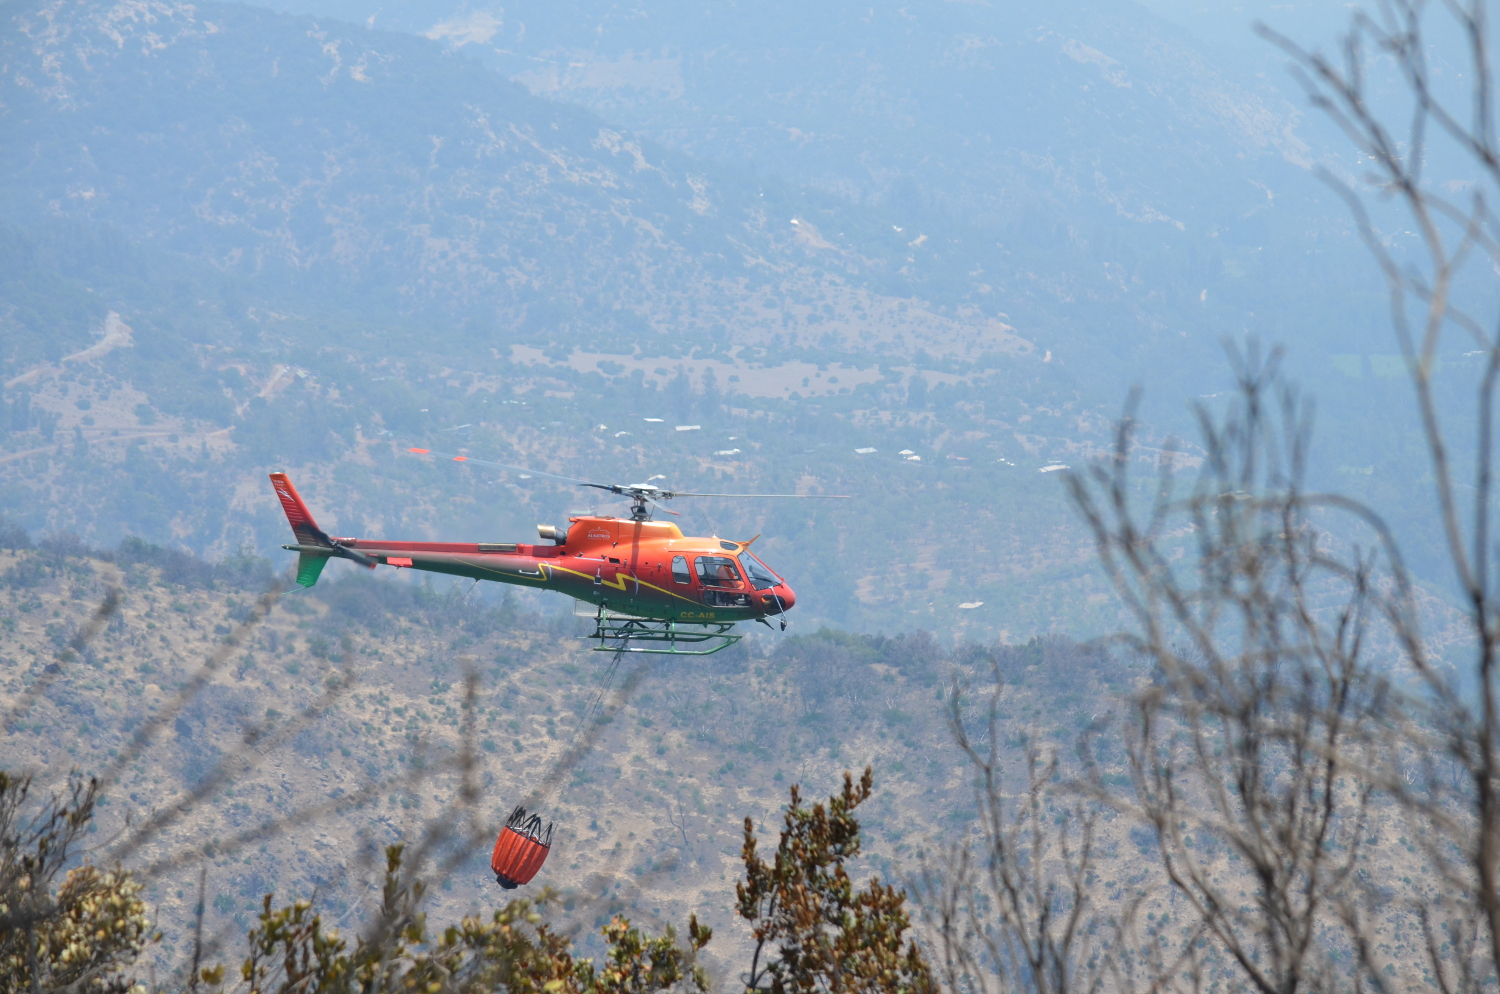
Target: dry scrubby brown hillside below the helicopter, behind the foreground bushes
<point>337,726</point>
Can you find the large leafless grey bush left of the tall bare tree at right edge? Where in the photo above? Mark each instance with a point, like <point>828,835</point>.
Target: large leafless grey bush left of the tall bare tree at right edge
<point>1270,702</point>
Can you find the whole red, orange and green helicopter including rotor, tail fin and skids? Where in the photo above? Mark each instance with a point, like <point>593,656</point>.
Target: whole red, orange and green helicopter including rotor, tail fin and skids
<point>647,587</point>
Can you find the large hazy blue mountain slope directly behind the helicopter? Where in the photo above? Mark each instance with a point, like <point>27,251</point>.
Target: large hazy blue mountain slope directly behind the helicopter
<point>332,244</point>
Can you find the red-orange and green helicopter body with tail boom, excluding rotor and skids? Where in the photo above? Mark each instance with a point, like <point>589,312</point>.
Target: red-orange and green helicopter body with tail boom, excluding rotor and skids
<point>629,567</point>
